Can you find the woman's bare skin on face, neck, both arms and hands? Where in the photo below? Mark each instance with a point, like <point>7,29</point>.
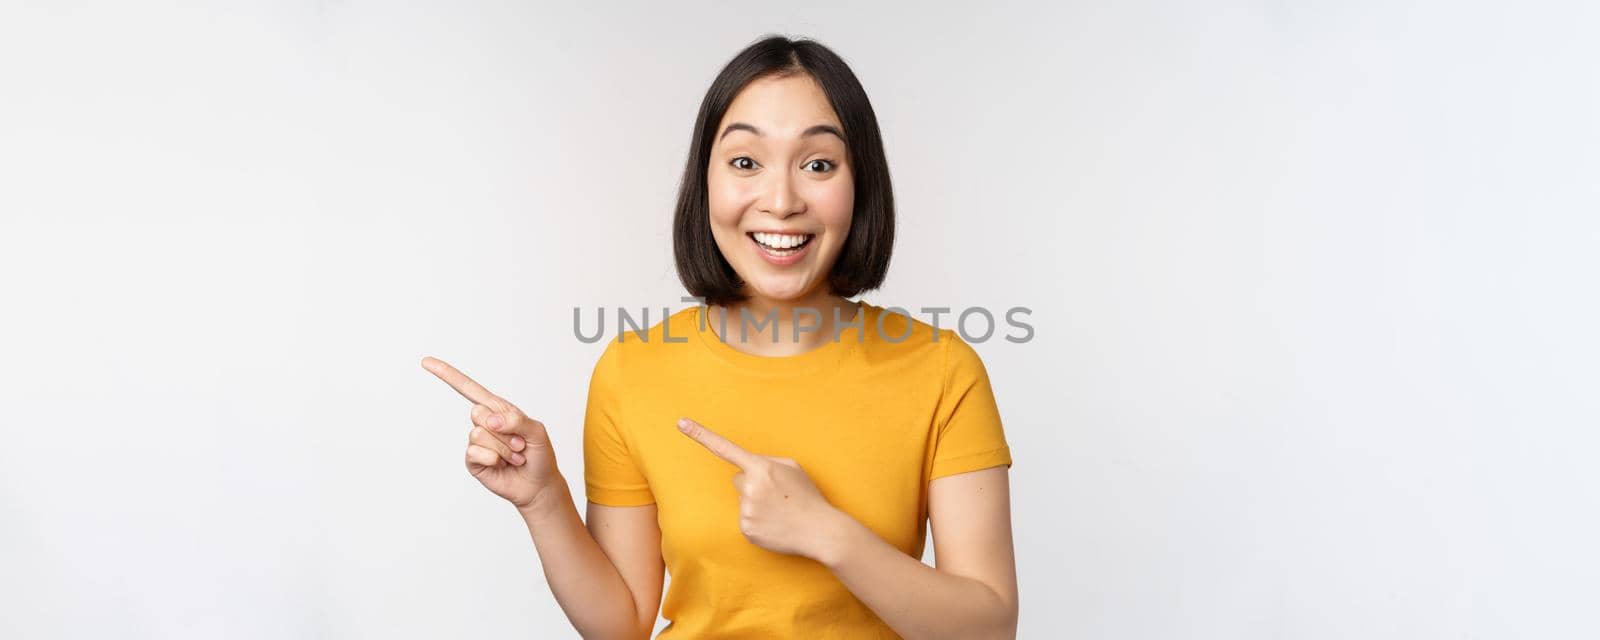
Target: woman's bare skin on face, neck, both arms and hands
<point>609,575</point>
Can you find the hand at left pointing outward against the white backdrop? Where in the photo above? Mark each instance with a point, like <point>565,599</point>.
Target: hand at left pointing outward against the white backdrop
<point>506,450</point>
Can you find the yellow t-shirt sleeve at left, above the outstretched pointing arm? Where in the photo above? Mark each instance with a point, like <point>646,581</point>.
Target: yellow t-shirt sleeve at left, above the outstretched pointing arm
<point>610,474</point>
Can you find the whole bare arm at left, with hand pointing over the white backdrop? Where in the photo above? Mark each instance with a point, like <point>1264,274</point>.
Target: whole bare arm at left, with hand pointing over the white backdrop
<point>607,577</point>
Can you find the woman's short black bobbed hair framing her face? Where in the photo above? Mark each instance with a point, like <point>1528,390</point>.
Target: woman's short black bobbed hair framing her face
<point>865,260</point>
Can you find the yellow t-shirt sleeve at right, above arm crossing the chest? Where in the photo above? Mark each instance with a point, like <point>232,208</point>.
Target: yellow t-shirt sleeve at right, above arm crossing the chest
<point>969,436</point>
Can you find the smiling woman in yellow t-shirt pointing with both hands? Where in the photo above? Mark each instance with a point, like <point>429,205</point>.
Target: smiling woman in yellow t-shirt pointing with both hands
<point>814,436</point>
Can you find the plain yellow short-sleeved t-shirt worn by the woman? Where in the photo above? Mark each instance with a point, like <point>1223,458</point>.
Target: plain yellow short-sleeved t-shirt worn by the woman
<point>871,418</point>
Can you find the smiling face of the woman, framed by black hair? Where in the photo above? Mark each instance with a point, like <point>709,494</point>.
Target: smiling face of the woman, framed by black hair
<point>780,188</point>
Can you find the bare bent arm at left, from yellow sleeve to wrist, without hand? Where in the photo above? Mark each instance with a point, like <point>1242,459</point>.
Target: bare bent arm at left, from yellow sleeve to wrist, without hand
<point>606,577</point>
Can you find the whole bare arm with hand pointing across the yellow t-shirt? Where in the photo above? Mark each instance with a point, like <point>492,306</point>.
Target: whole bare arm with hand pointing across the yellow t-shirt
<point>972,594</point>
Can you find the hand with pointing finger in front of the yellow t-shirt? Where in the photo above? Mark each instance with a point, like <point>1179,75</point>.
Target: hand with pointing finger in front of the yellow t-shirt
<point>780,508</point>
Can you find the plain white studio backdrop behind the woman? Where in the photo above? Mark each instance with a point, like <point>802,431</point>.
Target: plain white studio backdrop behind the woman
<point>1313,284</point>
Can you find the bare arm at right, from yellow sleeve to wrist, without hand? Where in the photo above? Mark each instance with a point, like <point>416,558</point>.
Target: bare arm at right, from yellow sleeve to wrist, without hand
<point>972,594</point>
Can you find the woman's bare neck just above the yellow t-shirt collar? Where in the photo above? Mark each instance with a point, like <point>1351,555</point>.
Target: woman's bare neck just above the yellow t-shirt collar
<point>766,318</point>
